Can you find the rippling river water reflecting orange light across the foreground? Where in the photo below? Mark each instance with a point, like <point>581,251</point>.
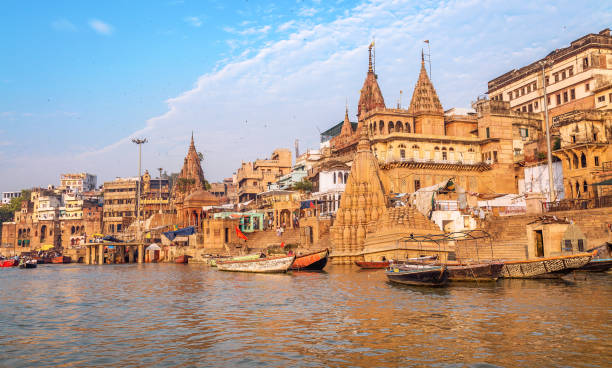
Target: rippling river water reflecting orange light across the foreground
<point>193,315</point>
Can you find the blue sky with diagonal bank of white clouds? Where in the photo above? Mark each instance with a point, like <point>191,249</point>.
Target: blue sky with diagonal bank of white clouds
<point>79,79</point>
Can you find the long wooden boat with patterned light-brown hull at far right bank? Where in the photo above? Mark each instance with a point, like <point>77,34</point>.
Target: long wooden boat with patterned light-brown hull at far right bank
<point>545,268</point>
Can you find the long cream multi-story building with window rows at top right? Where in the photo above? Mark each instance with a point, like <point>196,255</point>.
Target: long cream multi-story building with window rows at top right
<point>577,77</point>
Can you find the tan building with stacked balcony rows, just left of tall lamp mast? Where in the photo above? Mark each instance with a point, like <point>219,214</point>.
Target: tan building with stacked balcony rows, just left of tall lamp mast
<point>119,204</point>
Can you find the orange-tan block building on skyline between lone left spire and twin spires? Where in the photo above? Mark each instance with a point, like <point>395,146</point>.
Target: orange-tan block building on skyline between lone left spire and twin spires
<point>255,177</point>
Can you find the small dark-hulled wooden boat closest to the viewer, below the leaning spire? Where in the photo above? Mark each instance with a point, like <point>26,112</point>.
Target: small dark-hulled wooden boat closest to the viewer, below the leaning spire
<point>418,275</point>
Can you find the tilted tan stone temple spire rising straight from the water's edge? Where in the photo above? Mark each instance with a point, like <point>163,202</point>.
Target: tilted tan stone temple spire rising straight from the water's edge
<point>361,206</point>
